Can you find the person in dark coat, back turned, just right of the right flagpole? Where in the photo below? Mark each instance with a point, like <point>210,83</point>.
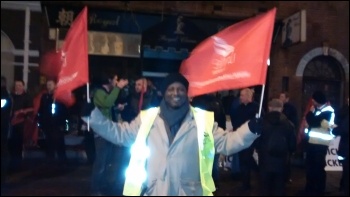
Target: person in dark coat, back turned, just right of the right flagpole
<point>273,168</point>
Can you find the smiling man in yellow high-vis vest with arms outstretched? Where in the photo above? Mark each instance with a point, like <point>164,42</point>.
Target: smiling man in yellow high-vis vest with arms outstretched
<point>173,145</point>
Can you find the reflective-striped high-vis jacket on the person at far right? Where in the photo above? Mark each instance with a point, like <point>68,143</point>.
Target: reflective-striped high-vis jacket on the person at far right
<point>319,125</point>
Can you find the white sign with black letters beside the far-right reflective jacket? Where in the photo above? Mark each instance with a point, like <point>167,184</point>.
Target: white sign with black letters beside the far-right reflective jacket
<point>332,157</point>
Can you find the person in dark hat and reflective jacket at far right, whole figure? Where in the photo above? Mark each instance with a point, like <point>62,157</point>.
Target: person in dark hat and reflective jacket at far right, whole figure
<point>320,119</point>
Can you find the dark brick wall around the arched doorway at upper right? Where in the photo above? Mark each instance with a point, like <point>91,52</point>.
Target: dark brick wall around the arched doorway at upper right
<point>326,22</point>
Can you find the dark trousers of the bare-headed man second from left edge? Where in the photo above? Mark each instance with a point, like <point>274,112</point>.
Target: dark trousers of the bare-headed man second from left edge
<point>15,145</point>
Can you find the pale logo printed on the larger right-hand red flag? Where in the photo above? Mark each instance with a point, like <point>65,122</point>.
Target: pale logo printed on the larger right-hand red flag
<point>224,55</point>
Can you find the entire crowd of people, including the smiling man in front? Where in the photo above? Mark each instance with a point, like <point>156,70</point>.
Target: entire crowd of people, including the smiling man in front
<point>176,142</point>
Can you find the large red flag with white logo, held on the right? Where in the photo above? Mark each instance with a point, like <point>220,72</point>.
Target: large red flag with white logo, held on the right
<point>233,58</point>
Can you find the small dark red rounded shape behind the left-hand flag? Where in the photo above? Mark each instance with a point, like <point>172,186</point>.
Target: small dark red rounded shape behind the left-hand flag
<point>50,64</point>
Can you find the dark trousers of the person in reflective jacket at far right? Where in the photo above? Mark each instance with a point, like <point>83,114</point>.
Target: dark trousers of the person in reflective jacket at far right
<point>315,172</point>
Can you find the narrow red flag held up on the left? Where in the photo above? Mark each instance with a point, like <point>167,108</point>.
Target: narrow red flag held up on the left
<point>74,58</point>
